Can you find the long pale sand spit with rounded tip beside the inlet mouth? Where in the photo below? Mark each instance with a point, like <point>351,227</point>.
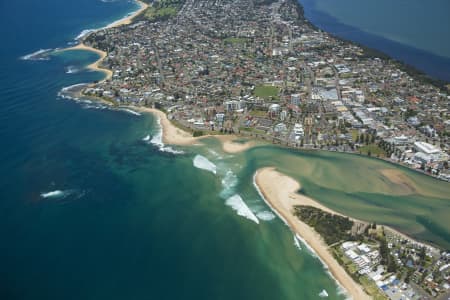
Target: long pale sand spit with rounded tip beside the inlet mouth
<point>280,192</point>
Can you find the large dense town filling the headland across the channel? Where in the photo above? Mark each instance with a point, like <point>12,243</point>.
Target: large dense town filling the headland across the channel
<point>260,69</point>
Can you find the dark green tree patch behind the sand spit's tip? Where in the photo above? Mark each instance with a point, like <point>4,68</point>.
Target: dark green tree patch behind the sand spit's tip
<point>333,228</point>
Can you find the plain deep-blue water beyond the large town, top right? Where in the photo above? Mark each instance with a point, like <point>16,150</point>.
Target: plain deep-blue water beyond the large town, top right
<point>411,31</point>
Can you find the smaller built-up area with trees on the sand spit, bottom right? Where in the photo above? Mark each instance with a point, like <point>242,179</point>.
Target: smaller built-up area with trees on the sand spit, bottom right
<point>388,264</point>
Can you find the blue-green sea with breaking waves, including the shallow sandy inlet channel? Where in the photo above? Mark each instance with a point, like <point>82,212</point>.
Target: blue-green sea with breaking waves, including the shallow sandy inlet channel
<point>93,207</point>
